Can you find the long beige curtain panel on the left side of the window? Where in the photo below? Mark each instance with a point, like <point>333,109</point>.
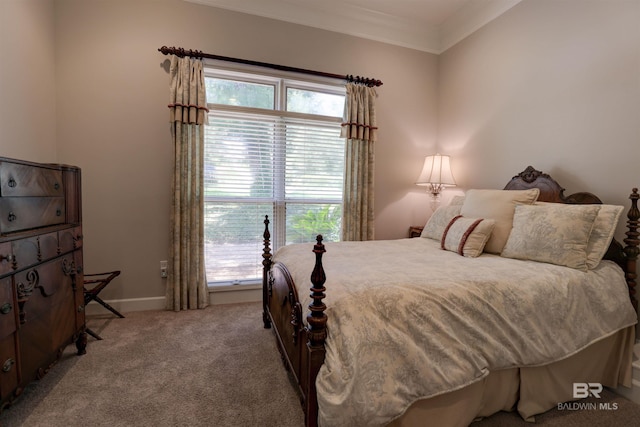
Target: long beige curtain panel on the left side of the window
<point>186,284</point>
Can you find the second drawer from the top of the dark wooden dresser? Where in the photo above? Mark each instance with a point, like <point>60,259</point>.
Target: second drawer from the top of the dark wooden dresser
<point>23,213</point>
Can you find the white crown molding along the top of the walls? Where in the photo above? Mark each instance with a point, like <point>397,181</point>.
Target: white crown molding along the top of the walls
<point>372,25</point>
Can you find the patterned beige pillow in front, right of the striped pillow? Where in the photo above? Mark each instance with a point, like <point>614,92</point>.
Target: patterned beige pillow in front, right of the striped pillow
<point>552,233</point>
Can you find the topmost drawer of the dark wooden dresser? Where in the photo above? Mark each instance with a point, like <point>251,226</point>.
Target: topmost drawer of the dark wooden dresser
<point>20,180</point>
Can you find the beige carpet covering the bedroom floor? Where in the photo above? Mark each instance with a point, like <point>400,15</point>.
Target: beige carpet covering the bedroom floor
<point>215,367</point>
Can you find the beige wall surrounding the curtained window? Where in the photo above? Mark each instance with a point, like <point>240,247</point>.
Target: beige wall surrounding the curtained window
<point>113,120</point>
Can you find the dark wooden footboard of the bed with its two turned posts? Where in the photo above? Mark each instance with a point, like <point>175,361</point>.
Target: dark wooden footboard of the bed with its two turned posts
<point>301,347</point>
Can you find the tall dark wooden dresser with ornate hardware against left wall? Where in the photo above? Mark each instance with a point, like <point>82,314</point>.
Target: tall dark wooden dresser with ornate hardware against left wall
<point>41,275</point>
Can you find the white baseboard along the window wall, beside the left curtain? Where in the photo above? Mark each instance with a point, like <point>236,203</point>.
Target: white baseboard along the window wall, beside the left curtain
<point>225,295</point>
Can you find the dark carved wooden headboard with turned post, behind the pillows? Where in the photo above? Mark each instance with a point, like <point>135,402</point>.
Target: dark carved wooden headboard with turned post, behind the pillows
<point>550,191</point>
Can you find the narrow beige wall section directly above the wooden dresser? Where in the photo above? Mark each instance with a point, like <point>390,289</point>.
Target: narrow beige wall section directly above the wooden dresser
<point>27,80</point>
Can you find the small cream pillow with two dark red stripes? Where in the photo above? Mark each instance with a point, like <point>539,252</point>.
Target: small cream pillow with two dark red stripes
<point>467,236</point>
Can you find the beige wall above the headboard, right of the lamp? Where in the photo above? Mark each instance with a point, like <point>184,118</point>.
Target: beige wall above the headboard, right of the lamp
<point>553,84</point>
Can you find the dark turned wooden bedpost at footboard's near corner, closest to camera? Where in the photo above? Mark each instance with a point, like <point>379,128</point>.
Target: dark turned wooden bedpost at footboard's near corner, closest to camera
<point>316,333</point>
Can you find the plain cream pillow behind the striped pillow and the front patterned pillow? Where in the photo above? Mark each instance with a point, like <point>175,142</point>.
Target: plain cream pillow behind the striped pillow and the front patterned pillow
<point>498,205</point>
